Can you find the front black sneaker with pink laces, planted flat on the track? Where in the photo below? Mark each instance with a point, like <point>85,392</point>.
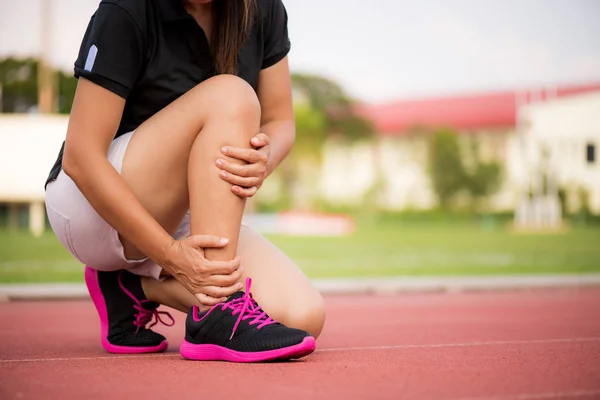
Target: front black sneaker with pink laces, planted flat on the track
<point>239,330</point>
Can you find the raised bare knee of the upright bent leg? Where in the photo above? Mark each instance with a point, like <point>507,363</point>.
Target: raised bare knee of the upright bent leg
<point>233,97</point>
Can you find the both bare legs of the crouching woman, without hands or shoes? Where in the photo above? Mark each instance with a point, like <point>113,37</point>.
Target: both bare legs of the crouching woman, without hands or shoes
<point>171,159</point>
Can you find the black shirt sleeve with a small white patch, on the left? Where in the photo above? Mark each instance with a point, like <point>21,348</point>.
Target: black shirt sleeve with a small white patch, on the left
<point>111,53</point>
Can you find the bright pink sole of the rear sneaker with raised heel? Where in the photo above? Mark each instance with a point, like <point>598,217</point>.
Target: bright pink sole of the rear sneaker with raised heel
<point>91,281</point>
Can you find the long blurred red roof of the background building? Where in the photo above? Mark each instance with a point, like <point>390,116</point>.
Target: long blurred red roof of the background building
<point>492,110</point>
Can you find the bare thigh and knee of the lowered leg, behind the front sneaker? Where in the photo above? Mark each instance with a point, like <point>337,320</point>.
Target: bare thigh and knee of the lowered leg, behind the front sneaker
<point>279,285</point>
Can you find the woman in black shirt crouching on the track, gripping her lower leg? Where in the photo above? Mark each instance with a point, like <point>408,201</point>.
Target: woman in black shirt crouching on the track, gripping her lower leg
<point>182,109</point>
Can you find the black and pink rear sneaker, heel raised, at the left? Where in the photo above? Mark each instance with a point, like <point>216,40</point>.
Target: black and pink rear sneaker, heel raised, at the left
<point>123,316</point>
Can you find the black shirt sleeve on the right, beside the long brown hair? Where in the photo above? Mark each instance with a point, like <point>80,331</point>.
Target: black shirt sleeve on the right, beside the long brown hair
<point>277,43</point>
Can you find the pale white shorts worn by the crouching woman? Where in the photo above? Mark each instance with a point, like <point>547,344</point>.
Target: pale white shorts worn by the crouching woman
<point>85,234</point>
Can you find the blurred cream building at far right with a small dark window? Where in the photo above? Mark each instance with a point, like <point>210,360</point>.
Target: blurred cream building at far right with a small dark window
<point>560,141</point>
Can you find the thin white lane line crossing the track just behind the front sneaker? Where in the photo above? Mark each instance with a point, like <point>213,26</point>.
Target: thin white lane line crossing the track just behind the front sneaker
<point>406,346</point>
